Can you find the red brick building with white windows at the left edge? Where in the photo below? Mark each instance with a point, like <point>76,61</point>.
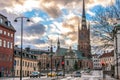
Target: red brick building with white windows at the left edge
<point>6,46</point>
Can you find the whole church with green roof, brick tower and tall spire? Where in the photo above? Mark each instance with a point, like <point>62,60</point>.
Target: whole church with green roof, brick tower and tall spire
<point>83,54</point>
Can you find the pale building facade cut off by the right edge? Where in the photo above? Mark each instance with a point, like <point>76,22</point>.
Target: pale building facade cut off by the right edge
<point>117,50</point>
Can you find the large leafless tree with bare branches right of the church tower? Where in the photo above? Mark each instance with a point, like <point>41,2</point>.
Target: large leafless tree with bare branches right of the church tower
<point>102,28</point>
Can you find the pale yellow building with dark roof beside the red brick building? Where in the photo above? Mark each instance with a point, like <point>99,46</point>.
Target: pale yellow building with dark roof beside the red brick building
<point>29,62</point>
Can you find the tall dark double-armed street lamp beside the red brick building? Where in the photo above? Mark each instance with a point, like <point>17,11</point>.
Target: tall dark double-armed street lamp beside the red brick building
<point>16,19</point>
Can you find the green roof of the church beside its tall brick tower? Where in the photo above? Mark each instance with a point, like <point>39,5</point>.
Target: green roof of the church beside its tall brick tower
<point>63,51</point>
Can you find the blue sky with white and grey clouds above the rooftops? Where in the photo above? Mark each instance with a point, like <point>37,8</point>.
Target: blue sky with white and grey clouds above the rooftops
<point>50,19</point>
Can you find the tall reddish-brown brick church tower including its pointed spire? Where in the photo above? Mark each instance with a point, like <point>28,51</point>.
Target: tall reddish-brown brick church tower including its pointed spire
<point>84,35</point>
